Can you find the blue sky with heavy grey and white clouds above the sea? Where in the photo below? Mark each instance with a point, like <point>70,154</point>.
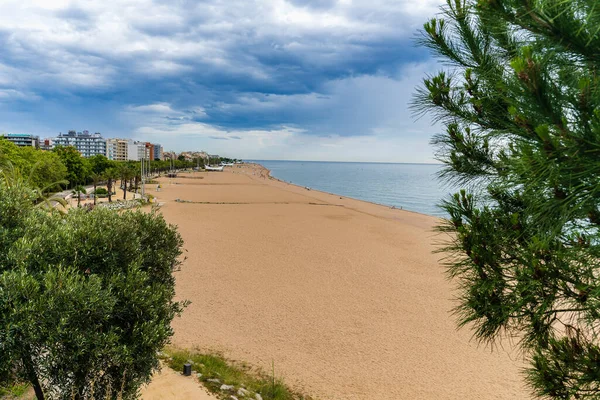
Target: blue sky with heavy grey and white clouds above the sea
<point>253,79</point>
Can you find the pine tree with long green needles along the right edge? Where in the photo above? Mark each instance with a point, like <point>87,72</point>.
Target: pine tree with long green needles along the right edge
<point>520,102</point>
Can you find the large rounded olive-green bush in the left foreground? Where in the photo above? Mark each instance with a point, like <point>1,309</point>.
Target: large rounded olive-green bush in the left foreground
<point>86,297</point>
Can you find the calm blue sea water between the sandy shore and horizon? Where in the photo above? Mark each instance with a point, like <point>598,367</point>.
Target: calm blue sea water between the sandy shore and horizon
<point>413,187</point>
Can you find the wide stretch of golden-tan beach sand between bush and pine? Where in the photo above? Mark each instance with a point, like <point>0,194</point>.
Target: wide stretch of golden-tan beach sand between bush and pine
<point>344,297</point>
